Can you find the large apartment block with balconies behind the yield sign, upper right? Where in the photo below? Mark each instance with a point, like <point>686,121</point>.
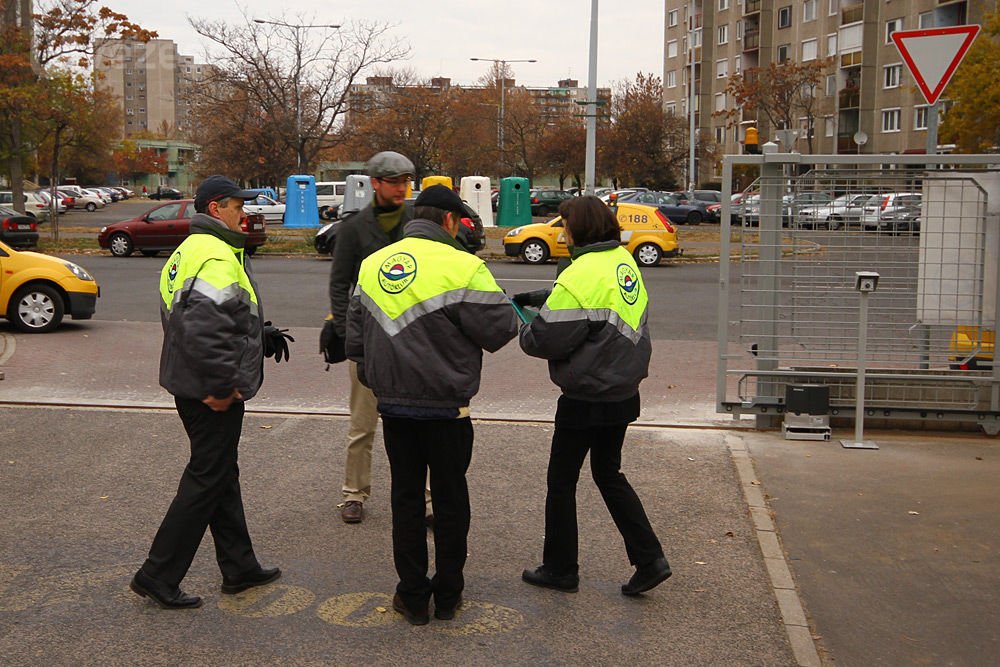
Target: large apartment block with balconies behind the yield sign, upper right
<point>867,93</point>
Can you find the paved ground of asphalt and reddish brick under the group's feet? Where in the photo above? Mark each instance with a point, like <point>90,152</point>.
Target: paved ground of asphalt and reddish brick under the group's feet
<point>785,552</point>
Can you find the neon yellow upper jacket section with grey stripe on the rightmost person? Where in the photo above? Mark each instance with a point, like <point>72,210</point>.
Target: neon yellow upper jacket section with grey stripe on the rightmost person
<point>601,287</point>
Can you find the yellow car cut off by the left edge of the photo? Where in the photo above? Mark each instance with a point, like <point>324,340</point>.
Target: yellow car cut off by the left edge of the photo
<point>36,290</point>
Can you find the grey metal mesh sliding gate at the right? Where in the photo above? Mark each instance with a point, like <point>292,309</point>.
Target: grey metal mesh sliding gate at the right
<point>928,225</point>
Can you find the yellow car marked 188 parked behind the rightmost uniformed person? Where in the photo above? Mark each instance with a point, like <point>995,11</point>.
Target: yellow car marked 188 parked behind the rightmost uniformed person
<point>646,233</point>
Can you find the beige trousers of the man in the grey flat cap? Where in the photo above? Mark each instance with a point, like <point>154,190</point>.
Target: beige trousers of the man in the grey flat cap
<point>360,436</point>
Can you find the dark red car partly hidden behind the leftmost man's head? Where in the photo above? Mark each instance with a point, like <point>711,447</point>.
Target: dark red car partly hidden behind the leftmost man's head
<point>164,227</point>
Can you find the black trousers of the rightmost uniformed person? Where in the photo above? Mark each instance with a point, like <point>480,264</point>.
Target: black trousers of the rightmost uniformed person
<point>569,448</point>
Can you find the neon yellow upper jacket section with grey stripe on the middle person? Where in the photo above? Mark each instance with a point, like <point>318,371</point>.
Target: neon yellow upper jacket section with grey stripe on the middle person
<point>413,277</point>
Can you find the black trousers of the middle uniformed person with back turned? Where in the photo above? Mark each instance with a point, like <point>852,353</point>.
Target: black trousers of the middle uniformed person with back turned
<point>445,447</point>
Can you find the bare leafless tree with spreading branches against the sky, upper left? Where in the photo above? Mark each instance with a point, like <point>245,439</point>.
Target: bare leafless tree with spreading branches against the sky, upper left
<point>299,76</point>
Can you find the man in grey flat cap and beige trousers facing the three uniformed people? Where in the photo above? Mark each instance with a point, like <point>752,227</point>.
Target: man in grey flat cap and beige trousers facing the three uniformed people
<point>372,228</point>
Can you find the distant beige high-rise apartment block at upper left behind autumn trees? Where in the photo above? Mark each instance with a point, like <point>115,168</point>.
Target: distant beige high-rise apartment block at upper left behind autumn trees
<point>152,81</point>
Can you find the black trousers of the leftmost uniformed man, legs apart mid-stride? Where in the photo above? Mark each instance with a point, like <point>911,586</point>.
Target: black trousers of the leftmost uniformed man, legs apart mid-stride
<point>208,496</point>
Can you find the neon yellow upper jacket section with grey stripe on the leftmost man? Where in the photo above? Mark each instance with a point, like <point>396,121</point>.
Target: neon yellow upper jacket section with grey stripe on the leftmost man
<point>193,268</point>
